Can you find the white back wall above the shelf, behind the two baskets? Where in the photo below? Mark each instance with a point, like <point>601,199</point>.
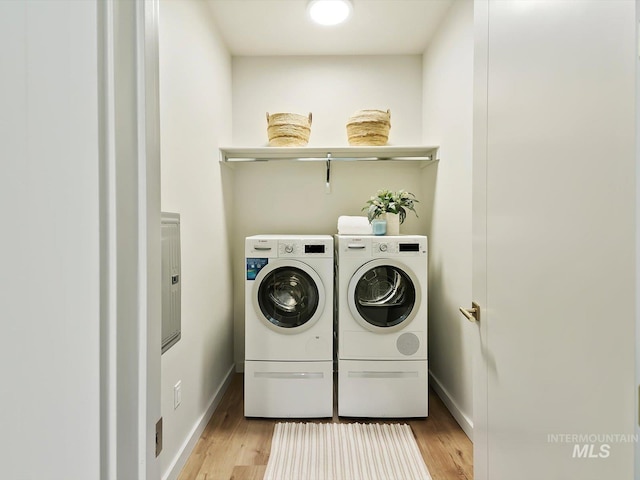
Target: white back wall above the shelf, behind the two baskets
<point>332,88</point>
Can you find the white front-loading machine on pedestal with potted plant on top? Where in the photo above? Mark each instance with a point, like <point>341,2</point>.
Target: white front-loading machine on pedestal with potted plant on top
<point>381,315</point>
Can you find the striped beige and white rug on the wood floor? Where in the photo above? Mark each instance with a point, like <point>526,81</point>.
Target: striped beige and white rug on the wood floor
<point>344,451</point>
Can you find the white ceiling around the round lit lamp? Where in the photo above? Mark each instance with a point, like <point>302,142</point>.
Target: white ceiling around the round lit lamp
<point>282,27</point>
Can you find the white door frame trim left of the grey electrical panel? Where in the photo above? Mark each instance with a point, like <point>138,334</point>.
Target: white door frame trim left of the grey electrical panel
<point>130,245</point>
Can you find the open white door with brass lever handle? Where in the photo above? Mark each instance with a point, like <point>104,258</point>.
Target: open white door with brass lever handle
<point>554,269</point>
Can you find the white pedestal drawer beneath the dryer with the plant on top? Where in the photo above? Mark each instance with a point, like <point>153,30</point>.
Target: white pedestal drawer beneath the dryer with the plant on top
<point>380,388</point>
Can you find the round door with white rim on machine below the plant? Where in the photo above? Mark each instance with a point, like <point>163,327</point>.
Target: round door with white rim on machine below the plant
<point>383,295</point>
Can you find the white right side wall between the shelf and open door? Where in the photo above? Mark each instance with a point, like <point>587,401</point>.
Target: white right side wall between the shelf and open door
<point>448,100</point>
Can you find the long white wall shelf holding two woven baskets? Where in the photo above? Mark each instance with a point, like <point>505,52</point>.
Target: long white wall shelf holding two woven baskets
<point>422,154</point>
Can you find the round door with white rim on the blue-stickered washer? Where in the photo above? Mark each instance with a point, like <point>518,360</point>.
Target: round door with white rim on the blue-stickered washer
<point>288,296</point>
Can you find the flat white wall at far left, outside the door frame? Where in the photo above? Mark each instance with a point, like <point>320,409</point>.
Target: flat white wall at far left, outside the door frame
<point>49,292</point>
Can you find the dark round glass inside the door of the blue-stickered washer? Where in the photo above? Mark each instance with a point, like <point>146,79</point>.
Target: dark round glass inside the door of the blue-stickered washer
<point>288,297</point>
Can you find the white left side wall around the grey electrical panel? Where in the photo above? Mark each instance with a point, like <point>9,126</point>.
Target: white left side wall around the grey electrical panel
<point>195,102</point>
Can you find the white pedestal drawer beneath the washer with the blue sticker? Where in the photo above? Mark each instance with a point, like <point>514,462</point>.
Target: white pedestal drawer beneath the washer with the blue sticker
<point>288,389</point>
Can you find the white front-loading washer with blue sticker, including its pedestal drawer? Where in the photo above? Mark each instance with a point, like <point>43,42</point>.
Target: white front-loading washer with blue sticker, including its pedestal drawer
<point>289,326</point>
